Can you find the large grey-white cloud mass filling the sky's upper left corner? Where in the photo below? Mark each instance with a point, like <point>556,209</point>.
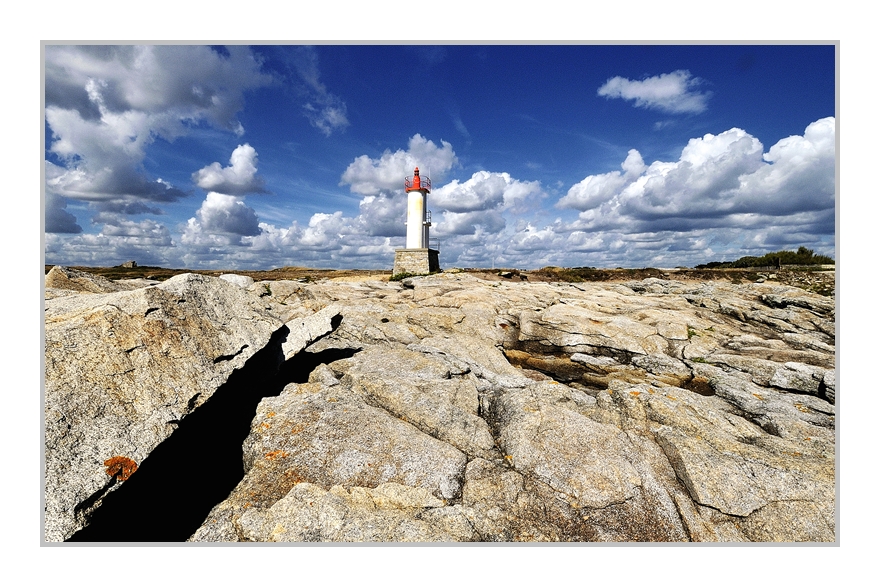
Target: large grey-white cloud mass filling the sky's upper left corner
<point>106,104</point>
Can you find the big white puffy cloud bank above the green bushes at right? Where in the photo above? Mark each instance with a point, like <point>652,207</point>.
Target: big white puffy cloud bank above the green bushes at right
<point>723,198</point>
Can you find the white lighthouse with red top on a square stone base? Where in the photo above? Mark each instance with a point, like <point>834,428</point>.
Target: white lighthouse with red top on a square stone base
<point>417,258</point>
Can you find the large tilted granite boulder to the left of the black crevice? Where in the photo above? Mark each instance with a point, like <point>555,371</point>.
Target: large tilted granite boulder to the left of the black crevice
<point>123,368</point>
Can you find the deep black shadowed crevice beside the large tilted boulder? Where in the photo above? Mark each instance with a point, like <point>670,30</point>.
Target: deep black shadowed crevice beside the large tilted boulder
<point>194,469</point>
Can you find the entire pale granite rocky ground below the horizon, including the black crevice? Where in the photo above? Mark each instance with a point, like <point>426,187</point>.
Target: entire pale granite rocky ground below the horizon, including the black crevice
<point>453,407</point>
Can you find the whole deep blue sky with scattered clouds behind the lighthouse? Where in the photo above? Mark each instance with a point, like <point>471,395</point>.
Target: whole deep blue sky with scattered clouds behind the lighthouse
<point>245,157</point>
